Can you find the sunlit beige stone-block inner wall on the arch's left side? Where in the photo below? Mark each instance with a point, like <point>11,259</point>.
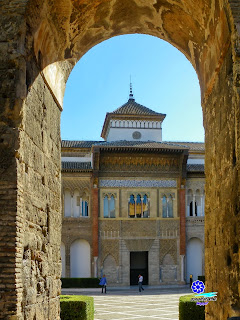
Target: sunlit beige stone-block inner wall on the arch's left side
<point>39,192</point>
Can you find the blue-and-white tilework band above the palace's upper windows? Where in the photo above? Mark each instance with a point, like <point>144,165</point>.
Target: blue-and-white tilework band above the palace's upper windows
<point>138,183</point>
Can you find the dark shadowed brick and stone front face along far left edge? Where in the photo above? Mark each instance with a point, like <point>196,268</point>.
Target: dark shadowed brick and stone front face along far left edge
<point>11,94</point>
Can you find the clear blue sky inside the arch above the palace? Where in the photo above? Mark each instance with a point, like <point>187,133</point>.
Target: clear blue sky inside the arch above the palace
<point>163,80</point>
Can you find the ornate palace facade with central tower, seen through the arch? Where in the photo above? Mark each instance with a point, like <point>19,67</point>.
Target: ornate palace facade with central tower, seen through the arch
<point>133,203</point>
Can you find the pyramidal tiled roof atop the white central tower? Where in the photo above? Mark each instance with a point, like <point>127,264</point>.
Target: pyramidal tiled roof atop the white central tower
<point>132,107</point>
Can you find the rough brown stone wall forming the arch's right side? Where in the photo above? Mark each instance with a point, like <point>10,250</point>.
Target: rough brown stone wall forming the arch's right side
<point>222,217</point>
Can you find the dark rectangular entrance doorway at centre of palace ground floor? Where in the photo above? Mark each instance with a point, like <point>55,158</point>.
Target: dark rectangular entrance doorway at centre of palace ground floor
<point>138,265</point>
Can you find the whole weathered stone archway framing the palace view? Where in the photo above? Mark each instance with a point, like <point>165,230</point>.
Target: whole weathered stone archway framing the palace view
<point>40,43</point>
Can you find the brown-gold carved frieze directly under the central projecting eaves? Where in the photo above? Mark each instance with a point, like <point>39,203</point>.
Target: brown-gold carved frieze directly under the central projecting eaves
<point>135,163</point>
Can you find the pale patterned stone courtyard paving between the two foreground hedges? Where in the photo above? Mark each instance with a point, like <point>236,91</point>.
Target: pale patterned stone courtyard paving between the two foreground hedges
<point>129,304</point>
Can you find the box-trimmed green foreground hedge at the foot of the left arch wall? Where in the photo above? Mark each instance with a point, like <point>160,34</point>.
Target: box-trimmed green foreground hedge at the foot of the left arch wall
<point>76,308</point>
